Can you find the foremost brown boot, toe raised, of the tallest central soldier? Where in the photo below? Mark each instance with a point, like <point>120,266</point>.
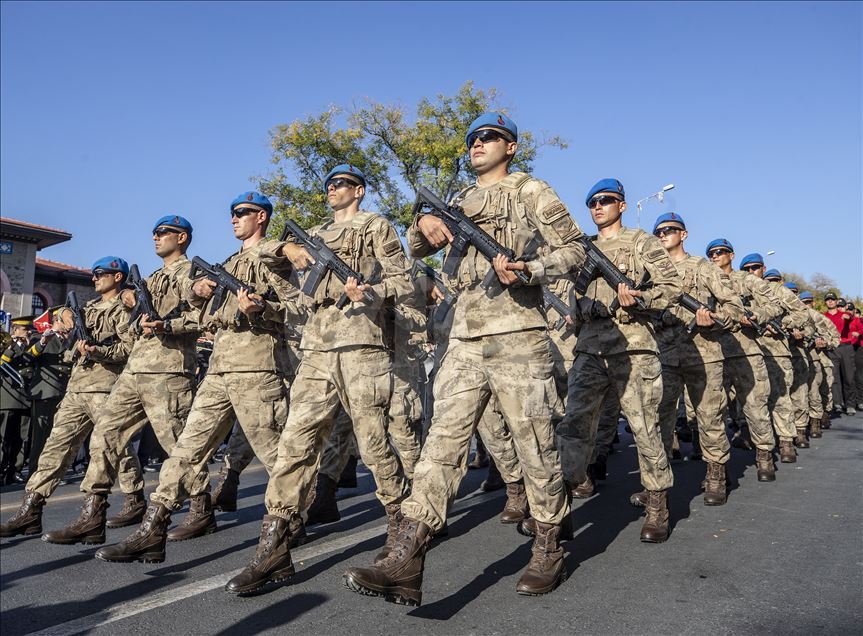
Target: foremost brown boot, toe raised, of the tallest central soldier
<point>399,577</point>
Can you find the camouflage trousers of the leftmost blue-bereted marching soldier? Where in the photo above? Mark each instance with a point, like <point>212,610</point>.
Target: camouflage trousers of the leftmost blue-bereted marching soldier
<point>76,417</point>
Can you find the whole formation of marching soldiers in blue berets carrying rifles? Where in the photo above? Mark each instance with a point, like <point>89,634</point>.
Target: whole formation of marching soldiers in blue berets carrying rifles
<point>331,343</point>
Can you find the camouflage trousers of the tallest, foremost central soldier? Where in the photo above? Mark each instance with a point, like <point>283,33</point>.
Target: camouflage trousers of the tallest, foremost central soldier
<point>514,370</point>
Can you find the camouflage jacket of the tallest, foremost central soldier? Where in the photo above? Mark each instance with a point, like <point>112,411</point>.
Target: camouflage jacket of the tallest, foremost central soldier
<point>519,212</point>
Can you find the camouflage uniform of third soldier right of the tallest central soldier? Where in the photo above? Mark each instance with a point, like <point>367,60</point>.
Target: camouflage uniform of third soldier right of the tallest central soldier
<point>745,370</point>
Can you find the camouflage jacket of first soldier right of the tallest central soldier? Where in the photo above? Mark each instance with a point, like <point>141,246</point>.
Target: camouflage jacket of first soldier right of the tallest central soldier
<point>627,330</point>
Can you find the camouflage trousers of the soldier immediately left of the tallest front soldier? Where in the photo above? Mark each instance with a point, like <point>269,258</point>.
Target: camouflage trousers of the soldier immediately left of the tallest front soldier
<point>359,379</point>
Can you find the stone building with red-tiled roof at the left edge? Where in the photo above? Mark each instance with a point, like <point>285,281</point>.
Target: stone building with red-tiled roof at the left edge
<point>30,284</point>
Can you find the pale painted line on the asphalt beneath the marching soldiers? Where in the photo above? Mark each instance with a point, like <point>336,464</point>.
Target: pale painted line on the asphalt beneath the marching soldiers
<point>166,597</point>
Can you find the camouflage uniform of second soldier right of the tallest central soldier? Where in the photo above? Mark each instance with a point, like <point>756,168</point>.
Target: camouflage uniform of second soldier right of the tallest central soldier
<point>696,360</point>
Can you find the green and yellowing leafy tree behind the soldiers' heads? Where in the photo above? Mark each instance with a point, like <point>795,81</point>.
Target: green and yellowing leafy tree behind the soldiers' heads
<point>396,154</point>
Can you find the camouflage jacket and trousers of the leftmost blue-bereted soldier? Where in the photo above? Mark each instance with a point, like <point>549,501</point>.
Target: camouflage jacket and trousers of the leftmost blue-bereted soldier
<point>86,396</point>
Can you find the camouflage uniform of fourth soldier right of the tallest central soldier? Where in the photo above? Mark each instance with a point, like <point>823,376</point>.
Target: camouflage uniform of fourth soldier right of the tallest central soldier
<point>777,357</point>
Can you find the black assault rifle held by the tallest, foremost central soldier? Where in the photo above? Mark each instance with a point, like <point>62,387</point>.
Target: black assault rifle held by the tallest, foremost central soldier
<point>465,233</point>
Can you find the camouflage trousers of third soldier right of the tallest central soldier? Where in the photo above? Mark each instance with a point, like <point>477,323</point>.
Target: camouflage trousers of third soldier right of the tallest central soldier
<point>747,381</point>
